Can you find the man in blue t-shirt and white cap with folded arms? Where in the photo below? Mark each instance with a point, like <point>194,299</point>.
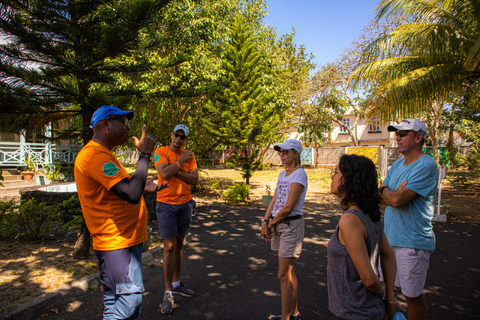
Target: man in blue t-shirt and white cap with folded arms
<point>409,193</point>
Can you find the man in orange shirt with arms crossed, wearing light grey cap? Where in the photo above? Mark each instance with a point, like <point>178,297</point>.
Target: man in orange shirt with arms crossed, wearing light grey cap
<point>177,167</point>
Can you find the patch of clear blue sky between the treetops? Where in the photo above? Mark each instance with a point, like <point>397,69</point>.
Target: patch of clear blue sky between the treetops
<point>325,27</point>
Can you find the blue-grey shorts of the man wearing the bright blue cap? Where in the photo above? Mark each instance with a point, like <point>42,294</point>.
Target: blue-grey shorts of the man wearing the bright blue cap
<point>122,280</point>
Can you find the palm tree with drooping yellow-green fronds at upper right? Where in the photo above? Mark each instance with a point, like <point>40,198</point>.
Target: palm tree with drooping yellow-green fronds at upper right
<point>423,63</point>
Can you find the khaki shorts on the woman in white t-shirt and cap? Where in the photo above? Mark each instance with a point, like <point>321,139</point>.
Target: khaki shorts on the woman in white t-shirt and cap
<point>288,238</point>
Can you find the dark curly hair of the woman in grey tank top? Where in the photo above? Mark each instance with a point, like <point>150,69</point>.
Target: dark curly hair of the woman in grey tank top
<point>359,185</point>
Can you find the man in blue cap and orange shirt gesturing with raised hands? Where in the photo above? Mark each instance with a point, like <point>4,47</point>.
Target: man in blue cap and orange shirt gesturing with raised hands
<point>114,209</point>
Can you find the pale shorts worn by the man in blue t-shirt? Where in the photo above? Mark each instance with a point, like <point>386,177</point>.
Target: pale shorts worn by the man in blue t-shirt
<point>412,266</point>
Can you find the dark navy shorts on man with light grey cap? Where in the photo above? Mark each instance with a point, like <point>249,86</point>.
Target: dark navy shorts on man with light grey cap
<point>174,220</point>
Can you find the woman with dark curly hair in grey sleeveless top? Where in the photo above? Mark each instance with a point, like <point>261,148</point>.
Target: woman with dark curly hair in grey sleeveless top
<point>354,288</point>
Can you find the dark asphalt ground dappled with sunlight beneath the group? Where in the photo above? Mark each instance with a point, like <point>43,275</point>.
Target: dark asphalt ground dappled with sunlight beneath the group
<point>234,272</point>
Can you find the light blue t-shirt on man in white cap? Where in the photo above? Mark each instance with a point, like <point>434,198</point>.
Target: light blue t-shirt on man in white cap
<point>410,225</point>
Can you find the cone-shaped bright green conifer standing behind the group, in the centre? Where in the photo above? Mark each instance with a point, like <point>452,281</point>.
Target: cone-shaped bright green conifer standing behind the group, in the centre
<point>242,110</point>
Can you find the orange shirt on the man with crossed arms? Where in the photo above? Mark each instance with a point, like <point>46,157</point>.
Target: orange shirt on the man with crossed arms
<point>179,191</point>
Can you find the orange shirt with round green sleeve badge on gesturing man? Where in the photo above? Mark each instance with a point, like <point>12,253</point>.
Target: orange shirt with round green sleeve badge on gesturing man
<point>113,223</point>
